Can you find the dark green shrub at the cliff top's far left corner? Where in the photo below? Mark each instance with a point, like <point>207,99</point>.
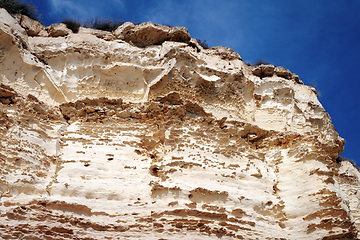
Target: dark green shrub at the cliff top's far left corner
<point>15,6</point>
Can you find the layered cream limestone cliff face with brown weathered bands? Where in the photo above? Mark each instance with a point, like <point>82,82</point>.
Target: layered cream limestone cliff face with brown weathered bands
<point>143,134</point>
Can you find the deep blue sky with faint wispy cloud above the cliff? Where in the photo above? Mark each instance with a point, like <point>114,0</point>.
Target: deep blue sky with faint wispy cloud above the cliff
<point>318,40</point>
